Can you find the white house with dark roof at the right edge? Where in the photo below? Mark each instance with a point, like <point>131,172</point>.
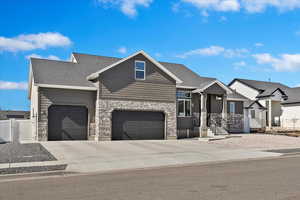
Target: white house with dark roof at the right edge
<point>272,105</point>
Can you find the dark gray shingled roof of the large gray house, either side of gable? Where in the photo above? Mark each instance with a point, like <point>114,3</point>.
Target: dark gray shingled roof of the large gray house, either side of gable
<point>75,73</point>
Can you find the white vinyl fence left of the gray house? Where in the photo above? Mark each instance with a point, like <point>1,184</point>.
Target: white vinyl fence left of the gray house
<point>16,131</point>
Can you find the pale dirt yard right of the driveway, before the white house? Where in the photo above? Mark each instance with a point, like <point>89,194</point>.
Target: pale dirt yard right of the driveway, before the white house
<point>260,141</point>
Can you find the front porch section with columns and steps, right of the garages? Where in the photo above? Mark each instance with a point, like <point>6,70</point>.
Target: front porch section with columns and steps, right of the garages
<point>211,113</point>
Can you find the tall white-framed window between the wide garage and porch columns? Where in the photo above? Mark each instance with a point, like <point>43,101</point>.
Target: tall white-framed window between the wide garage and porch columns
<point>183,103</point>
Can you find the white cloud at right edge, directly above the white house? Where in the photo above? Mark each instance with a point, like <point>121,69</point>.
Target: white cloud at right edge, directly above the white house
<point>285,62</point>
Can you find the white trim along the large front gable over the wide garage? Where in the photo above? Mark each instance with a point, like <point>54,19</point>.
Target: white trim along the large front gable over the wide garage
<point>96,74</point>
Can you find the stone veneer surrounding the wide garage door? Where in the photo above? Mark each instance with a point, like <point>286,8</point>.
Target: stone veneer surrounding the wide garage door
<point>105,108</point>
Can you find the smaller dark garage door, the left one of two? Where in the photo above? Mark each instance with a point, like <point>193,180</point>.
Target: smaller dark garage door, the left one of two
<point>67,123</point>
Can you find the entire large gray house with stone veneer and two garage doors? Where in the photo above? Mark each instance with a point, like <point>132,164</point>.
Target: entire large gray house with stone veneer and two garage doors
<point>106,98</point>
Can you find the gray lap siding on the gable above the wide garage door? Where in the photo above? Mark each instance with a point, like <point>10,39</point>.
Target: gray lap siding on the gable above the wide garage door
<point>119,83</point>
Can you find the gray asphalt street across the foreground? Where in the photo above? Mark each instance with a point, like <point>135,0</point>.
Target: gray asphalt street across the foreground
<point>267,179</point>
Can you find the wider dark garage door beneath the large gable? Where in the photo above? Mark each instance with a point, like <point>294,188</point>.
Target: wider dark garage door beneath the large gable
<point>132,125</point>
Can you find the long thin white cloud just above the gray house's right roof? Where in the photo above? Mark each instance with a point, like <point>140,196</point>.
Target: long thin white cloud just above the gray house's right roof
<point>215,51</point>
